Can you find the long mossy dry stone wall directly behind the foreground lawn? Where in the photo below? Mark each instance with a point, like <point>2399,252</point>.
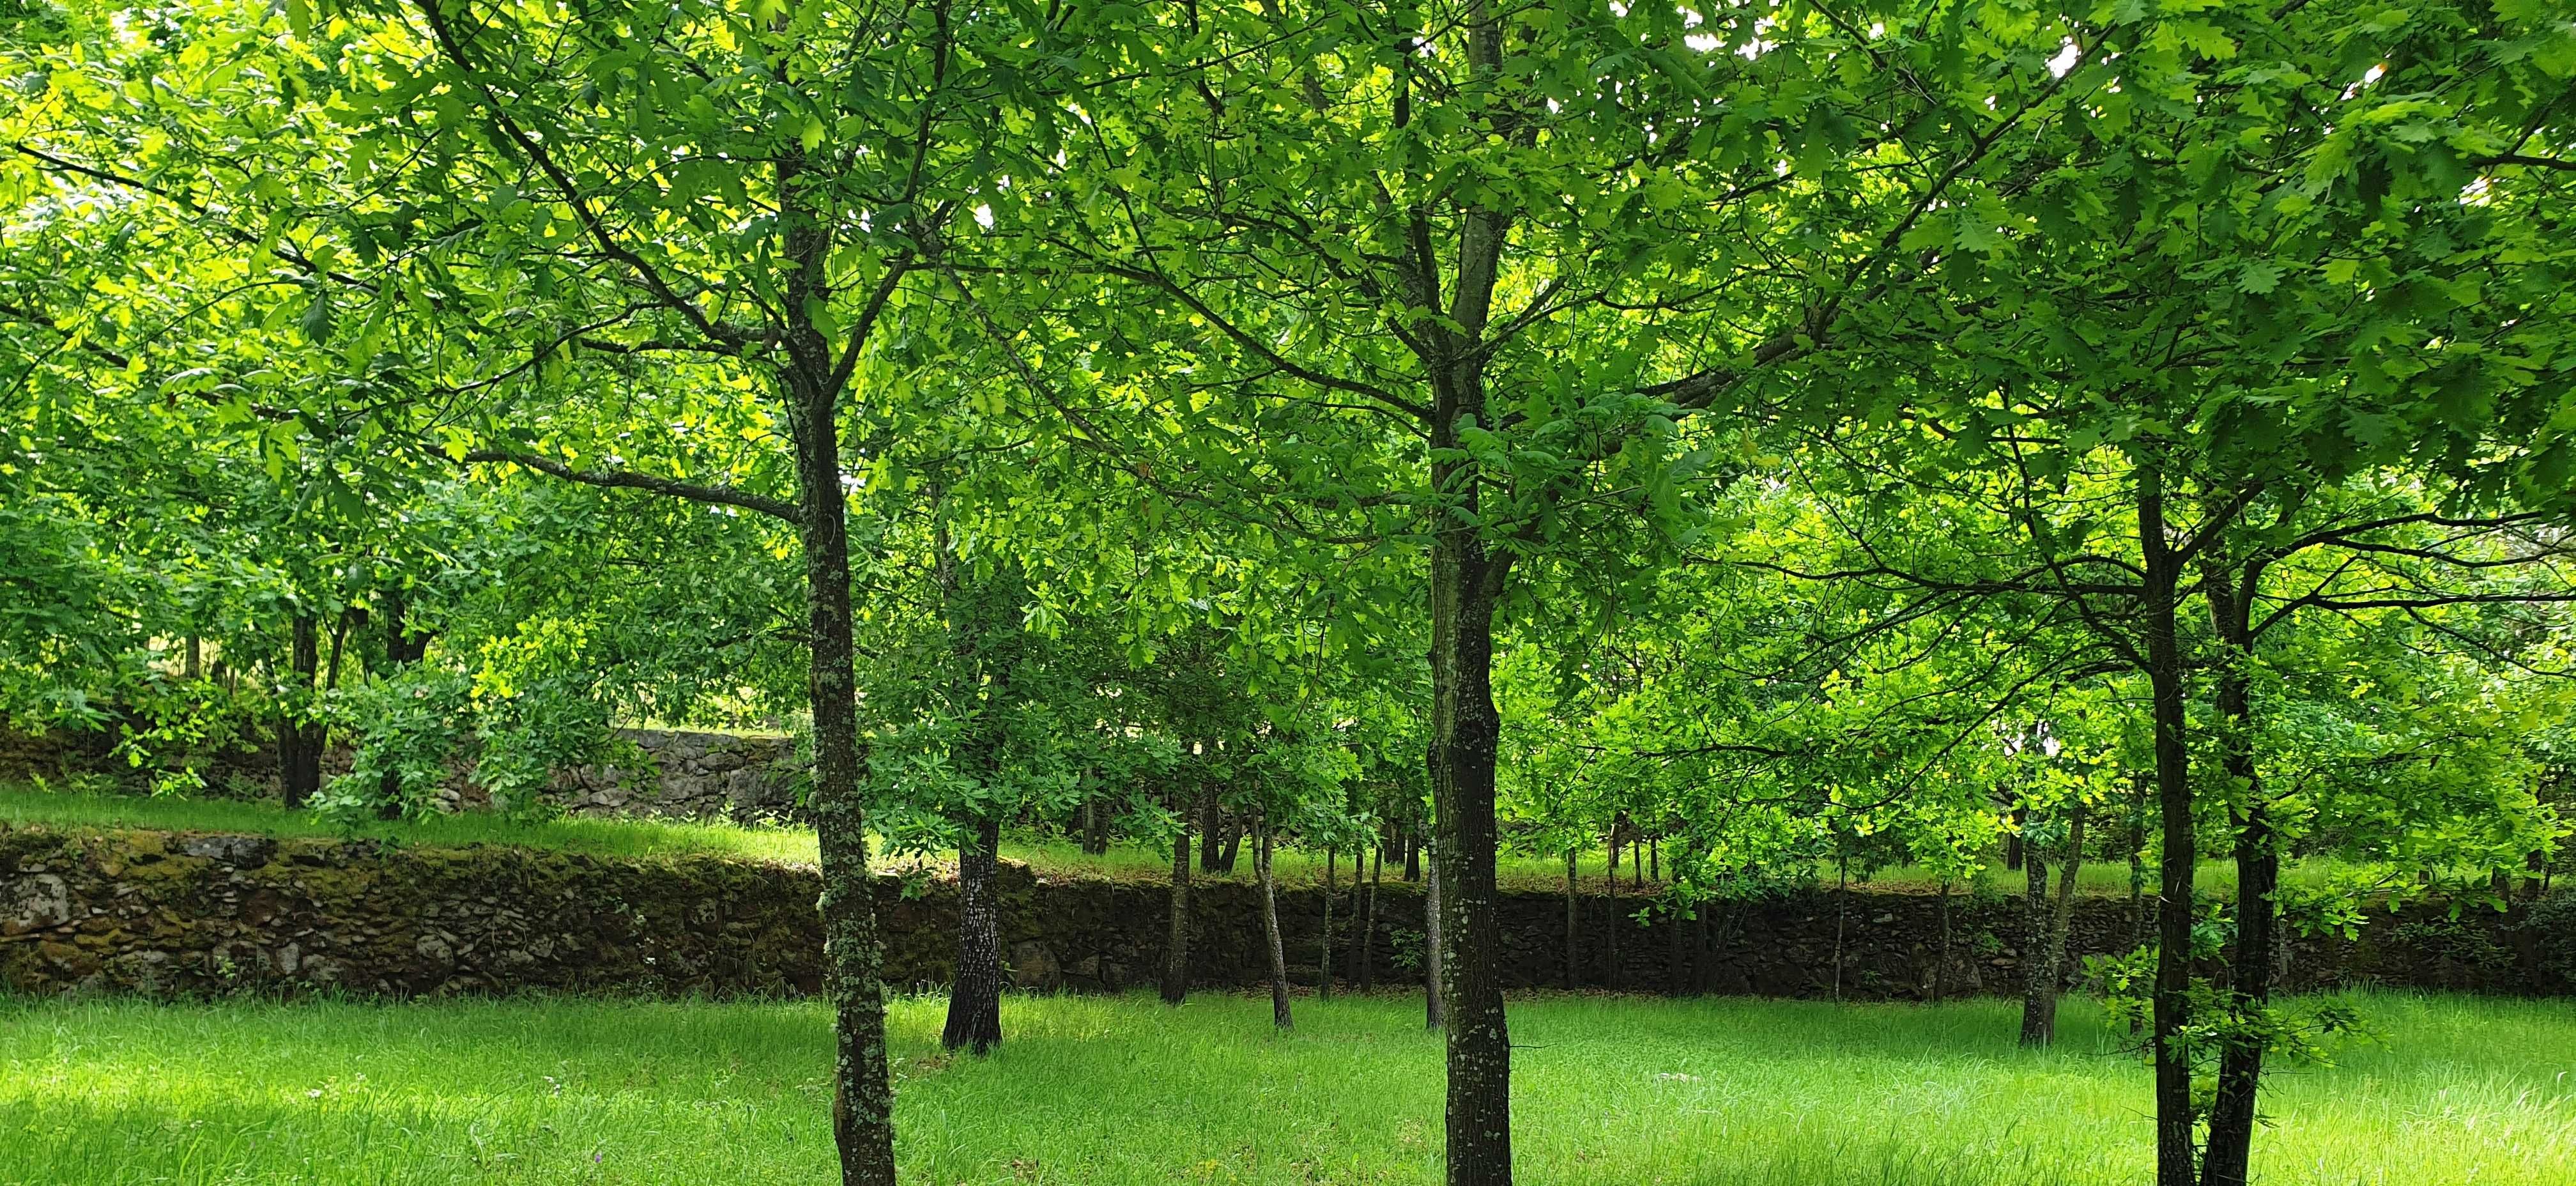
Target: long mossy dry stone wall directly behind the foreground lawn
<point>143,911</point>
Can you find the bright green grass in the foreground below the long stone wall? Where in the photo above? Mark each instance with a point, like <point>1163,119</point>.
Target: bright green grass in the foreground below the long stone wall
<point>1130,1092</point>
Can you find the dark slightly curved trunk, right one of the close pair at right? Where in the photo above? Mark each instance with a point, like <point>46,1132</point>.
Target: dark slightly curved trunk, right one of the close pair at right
<point>2258,880</point>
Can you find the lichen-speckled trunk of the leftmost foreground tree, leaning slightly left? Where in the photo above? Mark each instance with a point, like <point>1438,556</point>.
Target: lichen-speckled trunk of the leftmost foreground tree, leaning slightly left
<point>862,1094</point>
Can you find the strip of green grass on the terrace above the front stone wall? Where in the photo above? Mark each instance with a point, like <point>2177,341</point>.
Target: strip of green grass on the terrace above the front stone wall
<point>1047,855</point>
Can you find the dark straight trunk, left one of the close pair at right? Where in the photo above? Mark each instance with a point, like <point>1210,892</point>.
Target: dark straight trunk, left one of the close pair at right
<point>2173,1004</point>
